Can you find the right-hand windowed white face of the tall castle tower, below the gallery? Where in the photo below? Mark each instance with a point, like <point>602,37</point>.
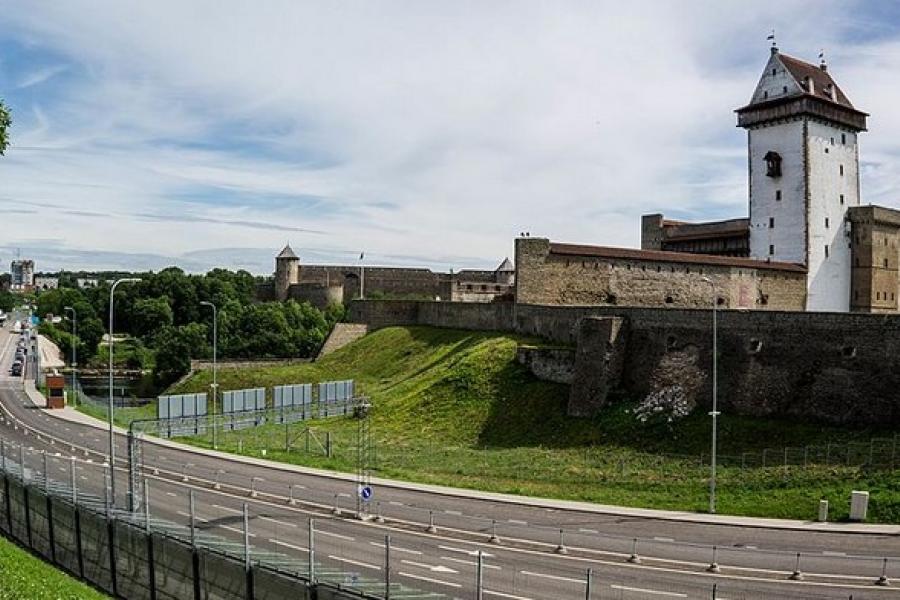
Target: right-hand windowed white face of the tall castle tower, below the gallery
<point>833,188</point>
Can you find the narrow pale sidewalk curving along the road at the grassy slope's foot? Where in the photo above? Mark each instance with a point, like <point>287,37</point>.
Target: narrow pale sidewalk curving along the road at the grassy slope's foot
<point>70,414</point>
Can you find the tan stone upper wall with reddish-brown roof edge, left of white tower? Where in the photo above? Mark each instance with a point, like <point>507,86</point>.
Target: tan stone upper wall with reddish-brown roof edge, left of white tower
<point>547,277</point>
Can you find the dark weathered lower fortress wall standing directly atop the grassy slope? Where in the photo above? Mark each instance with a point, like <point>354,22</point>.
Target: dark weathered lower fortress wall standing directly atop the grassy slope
<point>841,368</point>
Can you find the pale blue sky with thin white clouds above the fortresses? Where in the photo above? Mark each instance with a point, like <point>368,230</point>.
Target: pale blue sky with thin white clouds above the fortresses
<point>422,133</point>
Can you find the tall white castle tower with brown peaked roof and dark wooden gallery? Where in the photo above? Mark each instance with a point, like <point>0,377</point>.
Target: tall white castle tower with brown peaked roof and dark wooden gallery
<point>804,174</point>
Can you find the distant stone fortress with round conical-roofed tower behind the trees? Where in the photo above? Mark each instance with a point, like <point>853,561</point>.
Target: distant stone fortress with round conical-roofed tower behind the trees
<point>321,285</point>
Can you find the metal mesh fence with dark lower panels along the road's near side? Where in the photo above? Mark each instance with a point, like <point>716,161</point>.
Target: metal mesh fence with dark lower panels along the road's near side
<point>62,509</point>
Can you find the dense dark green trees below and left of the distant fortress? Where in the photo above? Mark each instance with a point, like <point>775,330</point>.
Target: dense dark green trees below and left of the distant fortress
<point>163,313</point>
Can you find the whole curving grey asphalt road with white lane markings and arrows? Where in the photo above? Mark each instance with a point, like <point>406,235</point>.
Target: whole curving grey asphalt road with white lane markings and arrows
<point>754,562</point>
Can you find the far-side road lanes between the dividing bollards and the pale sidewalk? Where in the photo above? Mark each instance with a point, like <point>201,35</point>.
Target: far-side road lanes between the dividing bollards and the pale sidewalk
<point>239,475</point>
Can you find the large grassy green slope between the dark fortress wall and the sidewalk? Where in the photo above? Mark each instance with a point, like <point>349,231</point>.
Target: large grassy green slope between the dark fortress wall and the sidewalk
<point>453,407</point>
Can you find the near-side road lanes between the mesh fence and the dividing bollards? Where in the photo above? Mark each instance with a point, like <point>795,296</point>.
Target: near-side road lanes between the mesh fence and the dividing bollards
<point>442,564</point>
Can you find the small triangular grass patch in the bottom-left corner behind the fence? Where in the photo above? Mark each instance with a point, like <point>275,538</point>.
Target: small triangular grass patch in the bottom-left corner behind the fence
<point>24,577</point>
